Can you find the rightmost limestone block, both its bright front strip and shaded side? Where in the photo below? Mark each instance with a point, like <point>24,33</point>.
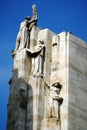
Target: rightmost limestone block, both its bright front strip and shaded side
<point>72,74</point>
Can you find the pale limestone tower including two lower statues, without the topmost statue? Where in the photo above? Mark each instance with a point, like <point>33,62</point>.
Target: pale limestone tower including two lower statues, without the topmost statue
<point>54,97</point>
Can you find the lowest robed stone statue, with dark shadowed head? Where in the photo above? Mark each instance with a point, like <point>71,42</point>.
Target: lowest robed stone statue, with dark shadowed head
<point>55,101</point>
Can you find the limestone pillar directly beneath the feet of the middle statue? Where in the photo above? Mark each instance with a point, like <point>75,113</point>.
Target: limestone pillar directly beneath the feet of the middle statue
<point>35,103</point>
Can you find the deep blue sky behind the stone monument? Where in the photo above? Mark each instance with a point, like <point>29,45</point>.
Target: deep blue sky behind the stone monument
<point>57,15</point>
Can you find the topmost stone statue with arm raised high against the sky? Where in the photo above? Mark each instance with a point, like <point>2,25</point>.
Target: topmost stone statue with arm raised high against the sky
<point>23,37</point>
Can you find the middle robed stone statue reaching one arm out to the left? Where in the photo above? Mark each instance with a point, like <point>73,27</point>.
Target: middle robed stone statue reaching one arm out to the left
<point>38,54</point>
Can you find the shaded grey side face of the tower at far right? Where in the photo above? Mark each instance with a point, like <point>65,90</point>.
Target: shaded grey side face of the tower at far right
<point>77,89</point>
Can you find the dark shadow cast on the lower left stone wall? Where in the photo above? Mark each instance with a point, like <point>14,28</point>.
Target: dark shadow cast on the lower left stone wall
<point>17,103</point>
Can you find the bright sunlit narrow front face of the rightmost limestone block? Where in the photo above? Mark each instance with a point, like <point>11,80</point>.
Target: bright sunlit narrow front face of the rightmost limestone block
<point>63,78</point>
